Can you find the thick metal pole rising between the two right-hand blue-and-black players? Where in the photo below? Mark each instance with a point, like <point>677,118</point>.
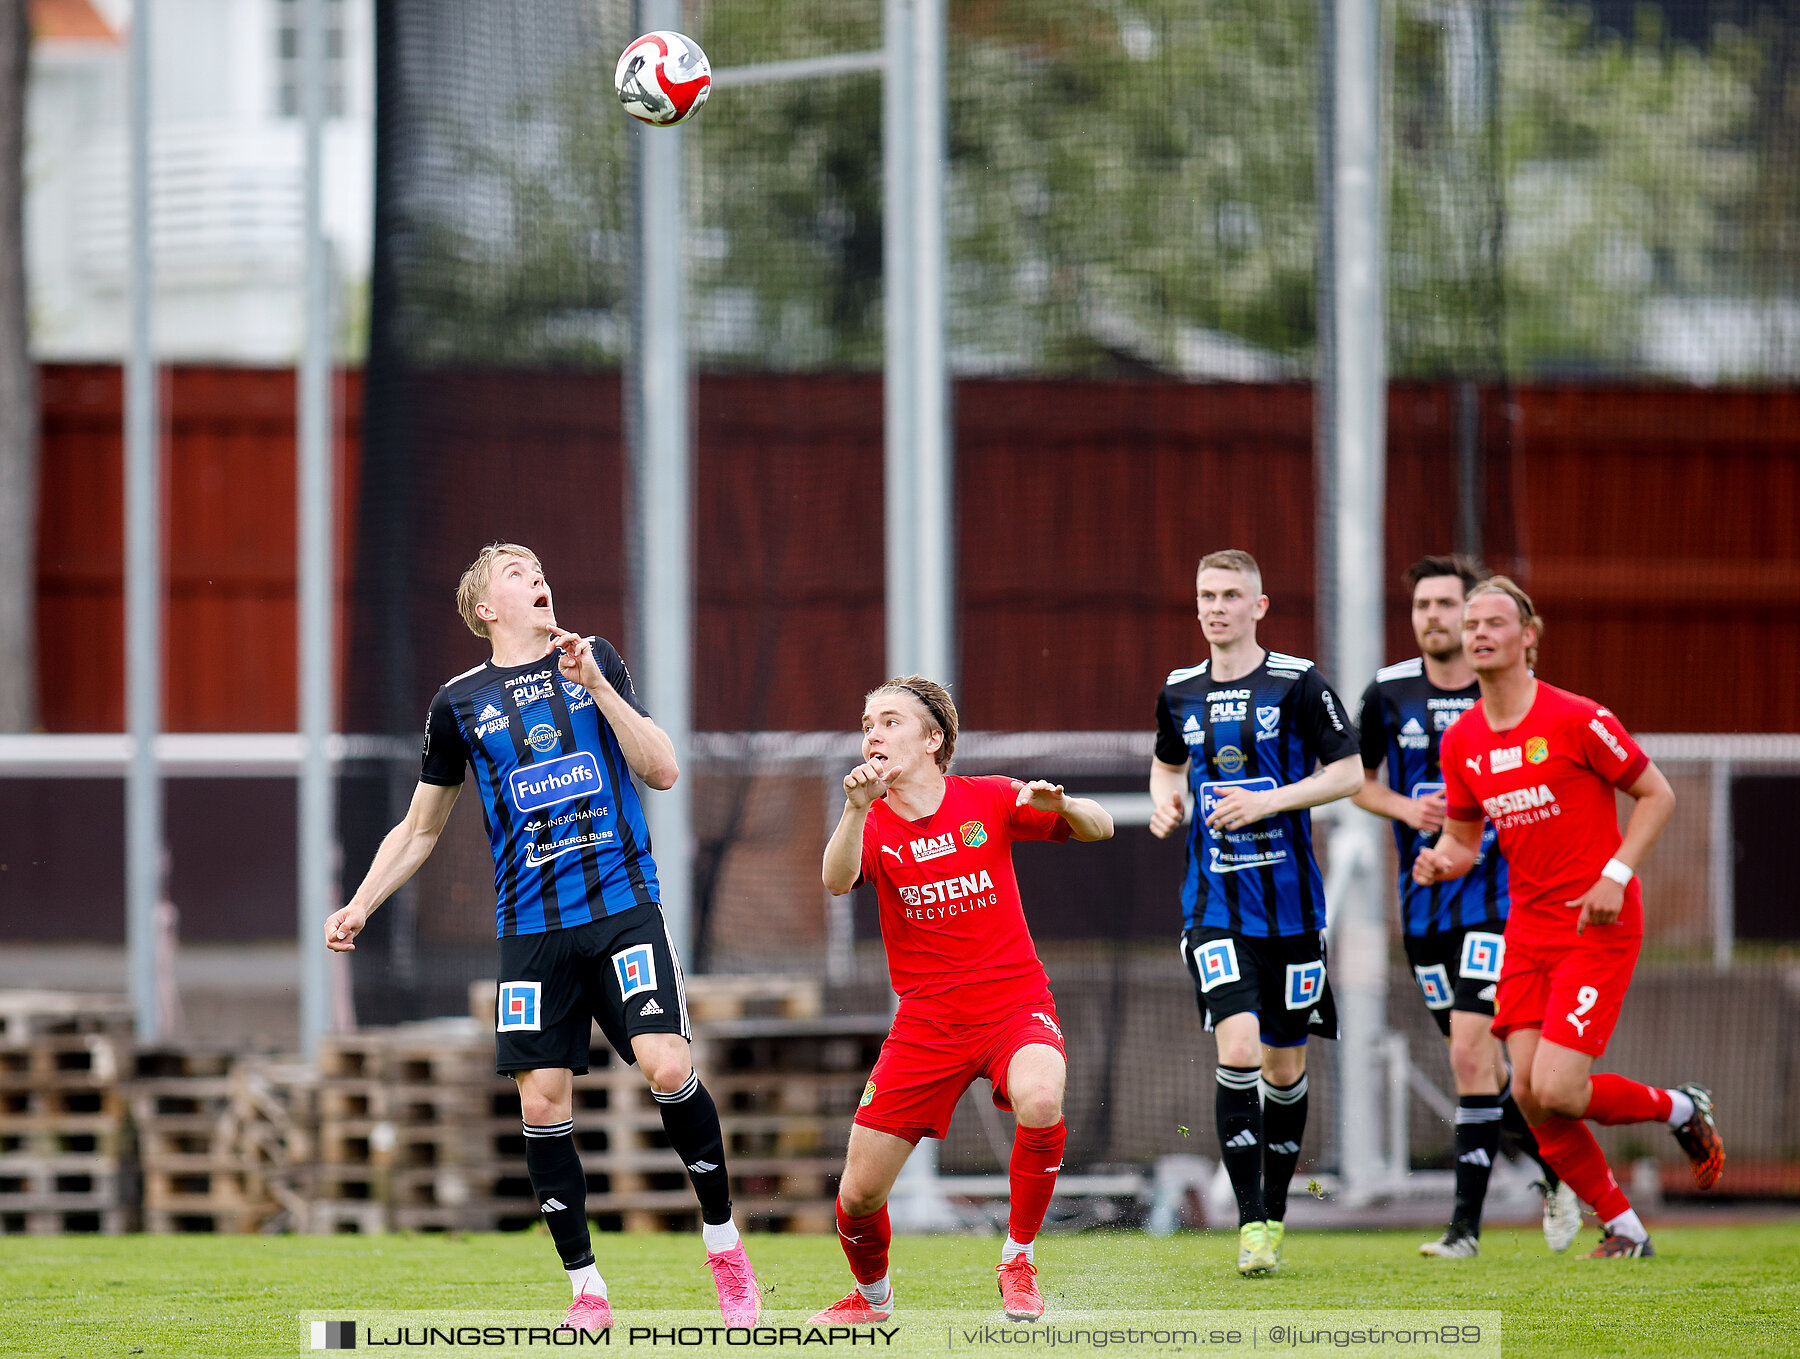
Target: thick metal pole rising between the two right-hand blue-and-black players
<point>1360,386</point>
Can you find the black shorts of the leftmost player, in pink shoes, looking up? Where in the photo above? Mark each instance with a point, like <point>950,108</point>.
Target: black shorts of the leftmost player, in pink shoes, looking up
<point>620,971</point>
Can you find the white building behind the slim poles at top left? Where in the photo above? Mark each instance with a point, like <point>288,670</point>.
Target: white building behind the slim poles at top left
<point>226,177</point>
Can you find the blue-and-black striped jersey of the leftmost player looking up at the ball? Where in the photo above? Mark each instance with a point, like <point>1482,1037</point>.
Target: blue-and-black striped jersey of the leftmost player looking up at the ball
<point>564,820</point>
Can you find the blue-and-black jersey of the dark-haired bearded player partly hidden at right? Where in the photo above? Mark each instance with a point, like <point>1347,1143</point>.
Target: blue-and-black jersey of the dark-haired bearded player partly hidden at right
<point>1405,717</point>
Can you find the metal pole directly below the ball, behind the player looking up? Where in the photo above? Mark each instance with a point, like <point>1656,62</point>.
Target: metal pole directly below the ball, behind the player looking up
<point>661,449</point>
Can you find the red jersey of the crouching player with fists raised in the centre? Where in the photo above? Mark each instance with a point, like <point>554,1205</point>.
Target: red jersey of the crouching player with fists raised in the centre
<point>953,924</point>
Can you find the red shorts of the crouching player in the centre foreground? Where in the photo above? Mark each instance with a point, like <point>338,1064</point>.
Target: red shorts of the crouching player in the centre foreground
<point>926,1066</point>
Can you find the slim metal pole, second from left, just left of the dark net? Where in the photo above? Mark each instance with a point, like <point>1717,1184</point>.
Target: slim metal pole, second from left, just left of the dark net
<point>318,822</point>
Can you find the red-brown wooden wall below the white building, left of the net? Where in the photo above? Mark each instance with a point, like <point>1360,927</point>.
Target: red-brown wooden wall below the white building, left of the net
<point>229,546</point>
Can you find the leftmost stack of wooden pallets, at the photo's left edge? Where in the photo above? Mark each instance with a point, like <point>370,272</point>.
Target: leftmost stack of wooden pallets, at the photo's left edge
<point>64,1140</point>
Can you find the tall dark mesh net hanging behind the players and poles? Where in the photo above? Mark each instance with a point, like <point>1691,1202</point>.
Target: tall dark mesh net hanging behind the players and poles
<point>1594,336</point>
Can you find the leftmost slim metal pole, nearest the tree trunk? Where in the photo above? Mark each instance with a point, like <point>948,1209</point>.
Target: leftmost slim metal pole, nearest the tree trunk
<point>143,561</point>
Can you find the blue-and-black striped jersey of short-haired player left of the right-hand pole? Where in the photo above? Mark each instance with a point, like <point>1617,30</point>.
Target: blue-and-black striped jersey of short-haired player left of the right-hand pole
<point>1261,732</point>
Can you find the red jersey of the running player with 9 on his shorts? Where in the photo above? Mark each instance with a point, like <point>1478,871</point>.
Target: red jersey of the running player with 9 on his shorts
<point>1547,786</point>
